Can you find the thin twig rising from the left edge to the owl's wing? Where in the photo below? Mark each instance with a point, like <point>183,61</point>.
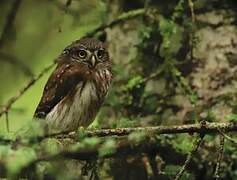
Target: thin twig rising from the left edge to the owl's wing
<point>13,99</point>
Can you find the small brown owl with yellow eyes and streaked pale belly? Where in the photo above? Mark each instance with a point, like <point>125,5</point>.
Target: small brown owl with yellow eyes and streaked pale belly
<point>77,87</point>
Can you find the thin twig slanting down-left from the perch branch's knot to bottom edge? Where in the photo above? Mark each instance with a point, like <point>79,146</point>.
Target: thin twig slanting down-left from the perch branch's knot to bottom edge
<point>196,145</point>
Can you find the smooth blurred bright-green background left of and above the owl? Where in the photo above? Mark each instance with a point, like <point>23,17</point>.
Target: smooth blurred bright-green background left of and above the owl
<point>38,34</point>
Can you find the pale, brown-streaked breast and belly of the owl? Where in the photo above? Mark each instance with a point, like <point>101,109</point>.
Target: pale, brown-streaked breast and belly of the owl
<point>77,109</point>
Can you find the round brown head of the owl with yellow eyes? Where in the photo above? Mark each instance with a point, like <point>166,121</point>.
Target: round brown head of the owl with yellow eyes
<point>87,51</point>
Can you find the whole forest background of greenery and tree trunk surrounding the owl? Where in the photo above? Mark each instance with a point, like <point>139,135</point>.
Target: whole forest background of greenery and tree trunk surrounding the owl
<point>174,63</point>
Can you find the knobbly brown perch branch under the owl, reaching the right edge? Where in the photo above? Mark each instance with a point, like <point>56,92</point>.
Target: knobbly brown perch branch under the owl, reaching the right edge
<point>190,128</point>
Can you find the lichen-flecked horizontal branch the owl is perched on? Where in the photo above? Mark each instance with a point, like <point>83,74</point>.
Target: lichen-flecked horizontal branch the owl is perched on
<point>207,128</point>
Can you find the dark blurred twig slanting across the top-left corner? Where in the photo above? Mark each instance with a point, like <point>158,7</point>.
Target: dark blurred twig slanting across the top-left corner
<point>9,21</point>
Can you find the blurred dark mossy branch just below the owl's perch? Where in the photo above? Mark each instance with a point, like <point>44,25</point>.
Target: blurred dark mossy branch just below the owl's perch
<point>123,148</point>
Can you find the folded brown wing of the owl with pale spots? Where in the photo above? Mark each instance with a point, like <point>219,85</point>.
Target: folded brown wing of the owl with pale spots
<point>62,81</point>
